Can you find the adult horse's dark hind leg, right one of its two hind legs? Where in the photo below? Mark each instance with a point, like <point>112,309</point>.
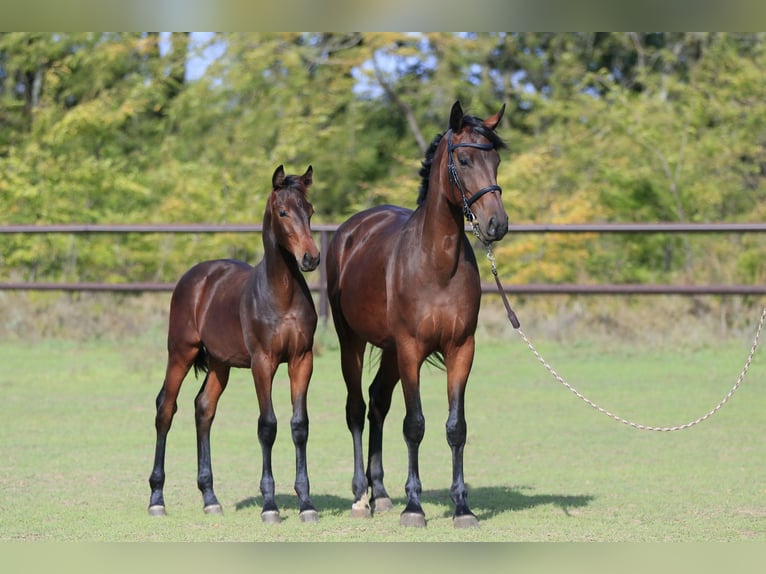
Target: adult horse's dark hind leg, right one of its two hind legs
<point>381,389</point>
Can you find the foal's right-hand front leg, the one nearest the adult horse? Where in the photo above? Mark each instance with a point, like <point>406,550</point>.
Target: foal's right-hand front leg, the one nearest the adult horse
<point>299,371</point>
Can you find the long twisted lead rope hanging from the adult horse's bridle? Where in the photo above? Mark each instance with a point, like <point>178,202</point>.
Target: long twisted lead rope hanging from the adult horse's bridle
<point>516,325</point>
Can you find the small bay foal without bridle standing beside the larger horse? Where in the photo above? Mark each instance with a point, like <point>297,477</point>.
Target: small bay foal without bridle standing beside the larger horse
<point>224,314</point>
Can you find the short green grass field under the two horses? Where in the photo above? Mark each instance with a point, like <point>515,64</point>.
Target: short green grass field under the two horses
<point>77,442</point>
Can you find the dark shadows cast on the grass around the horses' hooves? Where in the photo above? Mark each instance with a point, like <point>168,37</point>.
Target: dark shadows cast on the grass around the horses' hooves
<point>486,502</point>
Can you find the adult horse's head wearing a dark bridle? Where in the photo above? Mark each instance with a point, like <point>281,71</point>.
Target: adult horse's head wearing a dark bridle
<point>472,160</point>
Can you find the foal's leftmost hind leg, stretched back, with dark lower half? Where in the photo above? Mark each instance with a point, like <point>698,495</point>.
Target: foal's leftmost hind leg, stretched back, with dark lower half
<point>178,366</point>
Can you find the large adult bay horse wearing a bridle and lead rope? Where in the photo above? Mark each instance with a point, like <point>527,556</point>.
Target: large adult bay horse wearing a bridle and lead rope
<point>407,282</point>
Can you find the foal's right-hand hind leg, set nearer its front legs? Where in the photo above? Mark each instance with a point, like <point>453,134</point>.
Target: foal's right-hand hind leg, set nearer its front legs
<point>205,406</point>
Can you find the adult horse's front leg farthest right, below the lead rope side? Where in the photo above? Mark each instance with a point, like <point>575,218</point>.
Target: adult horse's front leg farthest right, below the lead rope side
<point>458,365</point>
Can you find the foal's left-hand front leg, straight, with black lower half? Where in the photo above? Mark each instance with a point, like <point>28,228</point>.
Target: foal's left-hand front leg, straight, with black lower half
<point>263,368</point>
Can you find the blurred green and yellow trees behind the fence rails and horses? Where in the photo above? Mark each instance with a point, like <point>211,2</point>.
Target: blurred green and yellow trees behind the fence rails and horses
<point>182,128</point>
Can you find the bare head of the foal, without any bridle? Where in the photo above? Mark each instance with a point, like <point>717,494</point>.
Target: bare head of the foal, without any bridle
<point>289,212</point>
